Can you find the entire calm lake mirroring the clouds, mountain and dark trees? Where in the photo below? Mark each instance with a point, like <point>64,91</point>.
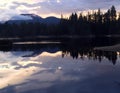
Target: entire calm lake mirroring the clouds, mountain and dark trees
<point>61,66</point>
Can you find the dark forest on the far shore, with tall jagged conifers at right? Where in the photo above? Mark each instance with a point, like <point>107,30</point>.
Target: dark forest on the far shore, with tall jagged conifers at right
<point>97,23</point>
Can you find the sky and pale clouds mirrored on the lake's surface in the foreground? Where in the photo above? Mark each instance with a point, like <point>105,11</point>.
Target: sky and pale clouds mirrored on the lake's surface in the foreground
<point>42,73</point>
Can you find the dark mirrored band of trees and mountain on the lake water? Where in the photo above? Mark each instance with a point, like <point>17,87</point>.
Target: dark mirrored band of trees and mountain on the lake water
<point>76,48</point>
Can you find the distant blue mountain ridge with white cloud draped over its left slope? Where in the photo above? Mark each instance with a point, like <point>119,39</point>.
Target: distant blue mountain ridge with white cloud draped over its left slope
<point>33,18</point>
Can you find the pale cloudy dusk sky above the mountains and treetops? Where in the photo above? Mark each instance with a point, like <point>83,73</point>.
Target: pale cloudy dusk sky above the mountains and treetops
<point>44,8</point>
